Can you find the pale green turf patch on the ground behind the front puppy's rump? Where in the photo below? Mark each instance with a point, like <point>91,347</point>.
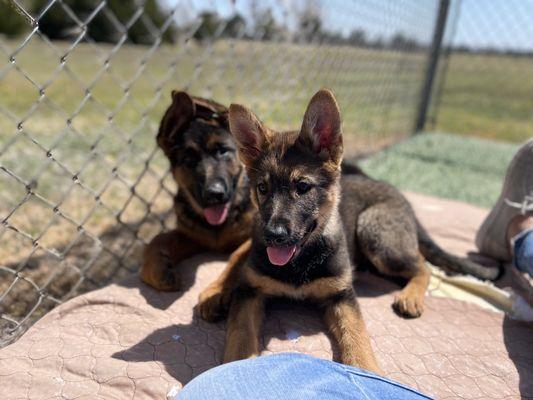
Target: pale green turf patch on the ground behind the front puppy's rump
<point>445,165</point>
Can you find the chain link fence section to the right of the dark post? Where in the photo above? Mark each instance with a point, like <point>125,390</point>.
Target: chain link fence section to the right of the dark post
<point>485,81</point>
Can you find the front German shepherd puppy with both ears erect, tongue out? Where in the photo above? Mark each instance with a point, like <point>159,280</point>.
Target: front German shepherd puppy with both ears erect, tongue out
<point>306,235</point>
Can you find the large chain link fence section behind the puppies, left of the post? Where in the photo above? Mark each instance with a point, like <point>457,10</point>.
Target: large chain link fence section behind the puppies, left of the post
<point>83,85</point>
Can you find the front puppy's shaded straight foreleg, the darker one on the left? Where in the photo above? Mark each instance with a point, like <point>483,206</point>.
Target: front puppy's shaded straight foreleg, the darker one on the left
<point>244,325</point>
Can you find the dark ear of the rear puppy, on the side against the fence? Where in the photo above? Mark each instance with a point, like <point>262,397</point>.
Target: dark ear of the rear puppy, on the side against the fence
<point>177,116</point>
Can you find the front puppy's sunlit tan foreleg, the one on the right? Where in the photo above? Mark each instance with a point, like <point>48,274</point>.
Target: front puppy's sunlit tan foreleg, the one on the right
<point>345,321</point>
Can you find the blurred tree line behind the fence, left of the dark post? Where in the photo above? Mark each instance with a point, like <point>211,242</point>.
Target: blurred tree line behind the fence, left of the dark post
<point>108,25</point>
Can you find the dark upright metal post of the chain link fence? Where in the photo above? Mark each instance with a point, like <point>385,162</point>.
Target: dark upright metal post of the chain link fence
<point>433,60</point>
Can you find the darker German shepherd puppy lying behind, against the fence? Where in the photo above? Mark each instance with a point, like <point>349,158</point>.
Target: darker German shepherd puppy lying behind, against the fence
<point>212,205</point>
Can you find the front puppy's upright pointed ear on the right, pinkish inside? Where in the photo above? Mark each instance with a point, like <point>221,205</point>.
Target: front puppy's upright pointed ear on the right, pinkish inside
<point>321,128</point>
